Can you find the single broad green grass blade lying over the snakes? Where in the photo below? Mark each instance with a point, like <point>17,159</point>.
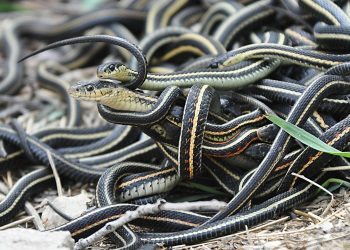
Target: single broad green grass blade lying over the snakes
<point>305,137</point>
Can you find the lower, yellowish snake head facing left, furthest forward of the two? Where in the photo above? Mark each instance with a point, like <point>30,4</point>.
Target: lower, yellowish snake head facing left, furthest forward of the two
<point>92,90</point>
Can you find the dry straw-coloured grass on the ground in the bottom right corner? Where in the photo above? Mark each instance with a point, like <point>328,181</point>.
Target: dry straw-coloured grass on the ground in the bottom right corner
<point>331,231</point>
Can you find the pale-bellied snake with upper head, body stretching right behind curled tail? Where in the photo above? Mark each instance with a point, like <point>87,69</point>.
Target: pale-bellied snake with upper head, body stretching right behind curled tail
<point>230,78</point>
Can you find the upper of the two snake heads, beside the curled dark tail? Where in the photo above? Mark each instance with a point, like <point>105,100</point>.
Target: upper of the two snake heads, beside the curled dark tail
<point>115,71</point>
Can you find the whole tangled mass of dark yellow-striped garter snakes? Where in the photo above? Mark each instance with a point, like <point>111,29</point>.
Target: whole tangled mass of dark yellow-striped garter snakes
<point>183,89</point>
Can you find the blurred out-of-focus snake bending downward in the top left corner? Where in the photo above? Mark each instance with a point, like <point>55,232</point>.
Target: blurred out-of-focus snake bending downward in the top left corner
<point>46,29</point>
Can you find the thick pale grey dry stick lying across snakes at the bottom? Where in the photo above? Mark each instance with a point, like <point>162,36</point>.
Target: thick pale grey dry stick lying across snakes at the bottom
<point>145,210</point>
